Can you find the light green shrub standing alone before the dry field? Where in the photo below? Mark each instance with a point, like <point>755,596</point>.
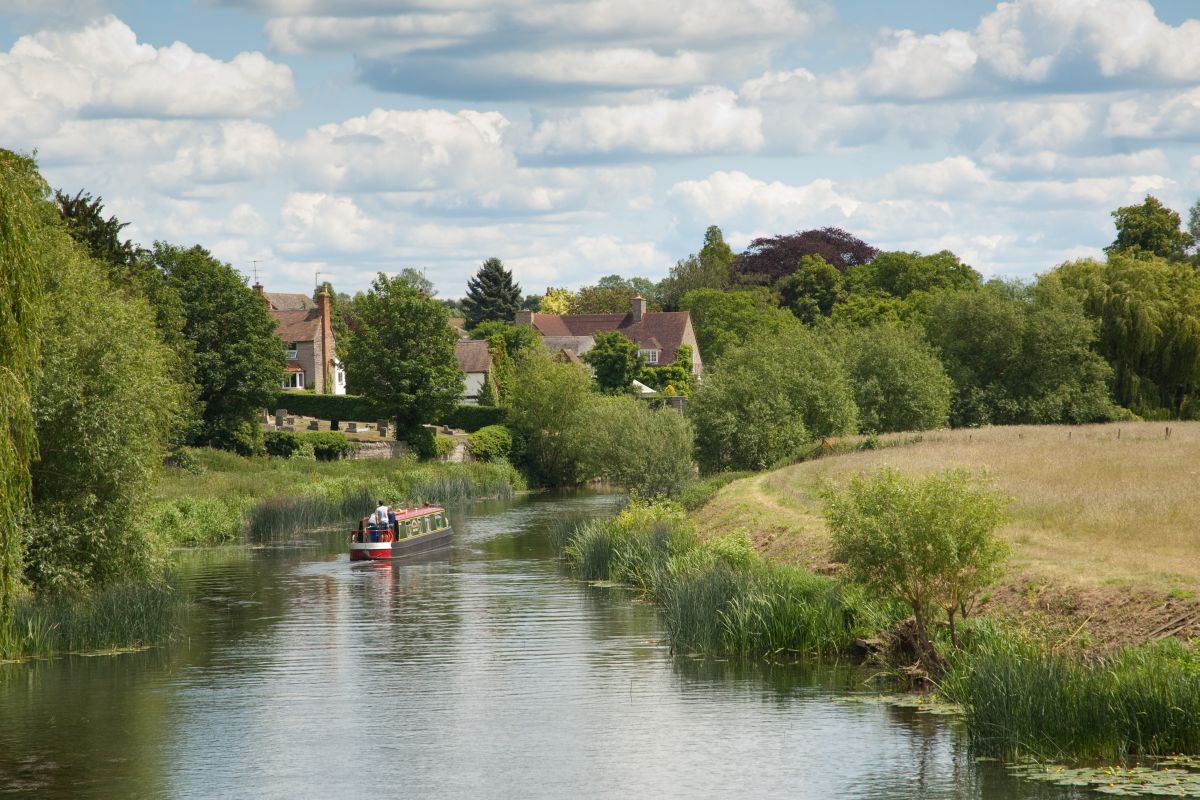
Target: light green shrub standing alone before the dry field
<point>926,543</point>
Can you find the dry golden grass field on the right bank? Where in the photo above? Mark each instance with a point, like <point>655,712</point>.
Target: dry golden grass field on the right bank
<point>1105,520</point>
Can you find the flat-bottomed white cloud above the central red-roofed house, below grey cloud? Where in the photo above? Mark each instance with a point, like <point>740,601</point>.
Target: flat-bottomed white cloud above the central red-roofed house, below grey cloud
<point>709,122</point>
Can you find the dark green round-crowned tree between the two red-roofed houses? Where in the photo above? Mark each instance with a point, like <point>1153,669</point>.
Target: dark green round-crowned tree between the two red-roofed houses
<point>401,354</point>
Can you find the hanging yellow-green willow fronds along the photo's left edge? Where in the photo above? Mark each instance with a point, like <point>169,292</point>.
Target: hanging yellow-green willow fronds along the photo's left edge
<point>23,209</point>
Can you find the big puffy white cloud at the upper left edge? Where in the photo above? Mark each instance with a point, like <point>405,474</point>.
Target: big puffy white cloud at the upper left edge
<point>101,70</point>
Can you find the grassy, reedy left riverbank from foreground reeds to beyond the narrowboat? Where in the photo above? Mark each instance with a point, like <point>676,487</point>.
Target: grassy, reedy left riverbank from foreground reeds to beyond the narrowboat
<point>223,500</point>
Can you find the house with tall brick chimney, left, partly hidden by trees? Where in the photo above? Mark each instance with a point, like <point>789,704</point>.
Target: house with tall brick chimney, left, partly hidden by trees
<point>305,328</point>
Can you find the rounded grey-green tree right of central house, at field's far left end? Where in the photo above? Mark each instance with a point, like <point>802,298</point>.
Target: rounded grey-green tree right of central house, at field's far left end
<point>771,400</point>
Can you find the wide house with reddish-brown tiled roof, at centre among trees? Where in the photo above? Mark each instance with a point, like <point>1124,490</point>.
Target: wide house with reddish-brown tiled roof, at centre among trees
<point>658,335</point>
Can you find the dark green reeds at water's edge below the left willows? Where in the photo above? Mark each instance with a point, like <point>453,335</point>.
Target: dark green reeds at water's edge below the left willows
<point>116,617</point>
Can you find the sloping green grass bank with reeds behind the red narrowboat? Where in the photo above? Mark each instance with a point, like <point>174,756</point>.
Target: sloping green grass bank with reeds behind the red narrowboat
<point>229,497</point>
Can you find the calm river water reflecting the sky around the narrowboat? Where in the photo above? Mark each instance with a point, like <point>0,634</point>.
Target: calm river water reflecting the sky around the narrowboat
<point>485,673</point>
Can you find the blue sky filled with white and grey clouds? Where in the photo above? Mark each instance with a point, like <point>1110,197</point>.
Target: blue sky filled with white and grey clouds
<point>581,139</point>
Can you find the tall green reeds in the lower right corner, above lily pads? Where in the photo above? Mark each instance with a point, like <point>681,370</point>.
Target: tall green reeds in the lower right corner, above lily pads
<point>1022,699</point>
